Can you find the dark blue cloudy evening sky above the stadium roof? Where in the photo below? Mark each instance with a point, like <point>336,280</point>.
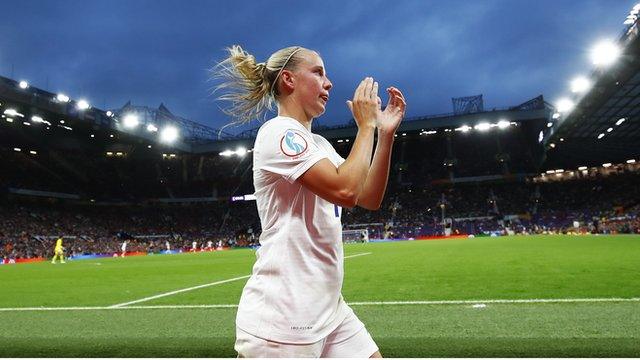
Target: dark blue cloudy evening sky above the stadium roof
<point>149,52</point>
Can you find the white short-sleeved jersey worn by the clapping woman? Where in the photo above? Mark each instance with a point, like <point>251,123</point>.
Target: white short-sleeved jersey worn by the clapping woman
<point>293,294</point>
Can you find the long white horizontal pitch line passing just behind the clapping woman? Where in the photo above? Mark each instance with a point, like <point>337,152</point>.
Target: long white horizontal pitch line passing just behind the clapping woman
<point>367,303</point>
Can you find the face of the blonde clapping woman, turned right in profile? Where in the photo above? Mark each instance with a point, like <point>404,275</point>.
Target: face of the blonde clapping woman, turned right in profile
<point>311,84</point>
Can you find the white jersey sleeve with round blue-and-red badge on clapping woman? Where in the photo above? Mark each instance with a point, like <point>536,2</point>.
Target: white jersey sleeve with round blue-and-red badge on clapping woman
<point>286,150</point>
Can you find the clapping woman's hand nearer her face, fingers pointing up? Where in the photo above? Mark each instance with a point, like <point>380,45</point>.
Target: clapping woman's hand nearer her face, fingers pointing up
<point>365,106</point>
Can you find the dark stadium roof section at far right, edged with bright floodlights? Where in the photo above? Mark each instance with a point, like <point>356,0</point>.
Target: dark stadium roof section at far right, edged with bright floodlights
<point>604,126</point>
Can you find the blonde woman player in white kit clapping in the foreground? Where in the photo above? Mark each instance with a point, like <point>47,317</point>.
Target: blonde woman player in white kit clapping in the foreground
<point>292,305</point>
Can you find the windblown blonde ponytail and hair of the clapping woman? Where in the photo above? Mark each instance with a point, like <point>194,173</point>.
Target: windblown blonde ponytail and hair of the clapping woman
<point>250,87</point>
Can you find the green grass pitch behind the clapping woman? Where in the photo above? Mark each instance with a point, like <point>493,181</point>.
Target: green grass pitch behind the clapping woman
<point>505,268</point>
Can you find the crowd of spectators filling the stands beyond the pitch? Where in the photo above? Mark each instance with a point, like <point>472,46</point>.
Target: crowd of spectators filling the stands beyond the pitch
<point>600,204</point>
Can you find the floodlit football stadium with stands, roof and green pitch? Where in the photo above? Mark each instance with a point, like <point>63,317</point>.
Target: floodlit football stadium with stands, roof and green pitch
<point>517,236</point>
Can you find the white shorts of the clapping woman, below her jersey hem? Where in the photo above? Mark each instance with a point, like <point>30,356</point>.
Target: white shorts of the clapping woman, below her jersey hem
<point>349,340</point>
